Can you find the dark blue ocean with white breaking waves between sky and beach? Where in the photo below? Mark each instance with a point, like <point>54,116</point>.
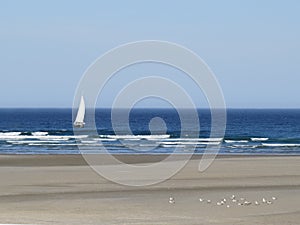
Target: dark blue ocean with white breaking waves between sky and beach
<point>248,131</point>
